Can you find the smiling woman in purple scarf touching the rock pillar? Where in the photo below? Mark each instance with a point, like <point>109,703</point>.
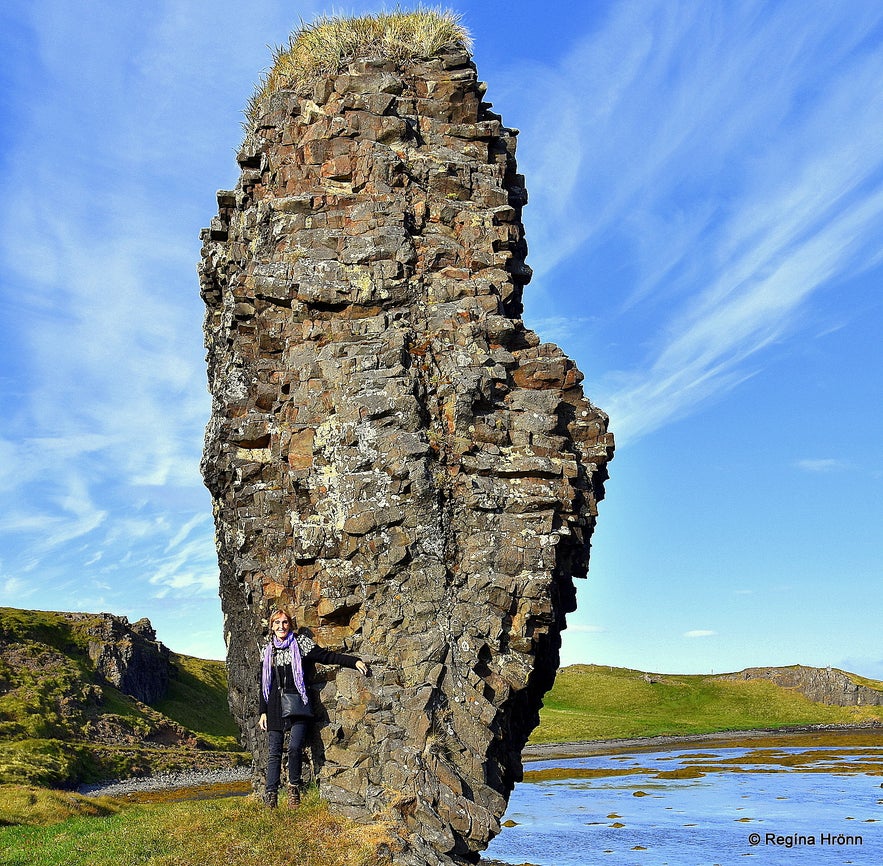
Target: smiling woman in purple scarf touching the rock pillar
<point>287,665</point>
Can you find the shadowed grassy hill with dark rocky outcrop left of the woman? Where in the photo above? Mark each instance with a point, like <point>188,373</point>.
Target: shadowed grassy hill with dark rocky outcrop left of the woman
<point>85,697</point>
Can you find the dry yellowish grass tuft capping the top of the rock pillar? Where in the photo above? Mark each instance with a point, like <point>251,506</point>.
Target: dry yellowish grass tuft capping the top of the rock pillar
<point>329,43</point>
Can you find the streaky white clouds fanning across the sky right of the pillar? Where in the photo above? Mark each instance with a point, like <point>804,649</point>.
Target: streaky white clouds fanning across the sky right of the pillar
<point>730,153</point>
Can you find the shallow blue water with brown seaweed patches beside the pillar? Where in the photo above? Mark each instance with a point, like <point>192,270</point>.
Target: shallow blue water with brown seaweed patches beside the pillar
<point>699,807</point>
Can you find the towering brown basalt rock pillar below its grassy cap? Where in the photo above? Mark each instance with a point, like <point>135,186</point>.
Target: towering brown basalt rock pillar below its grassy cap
<point>392,455</point>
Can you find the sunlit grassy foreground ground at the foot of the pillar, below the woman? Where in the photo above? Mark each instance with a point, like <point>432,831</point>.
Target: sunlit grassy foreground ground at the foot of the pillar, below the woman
<point>232,830</point>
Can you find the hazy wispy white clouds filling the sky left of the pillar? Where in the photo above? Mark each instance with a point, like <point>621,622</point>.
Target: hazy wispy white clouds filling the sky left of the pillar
<point>100,445</point>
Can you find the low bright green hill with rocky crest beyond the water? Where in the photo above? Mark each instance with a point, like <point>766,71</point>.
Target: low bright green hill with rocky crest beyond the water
<point>594,702</point>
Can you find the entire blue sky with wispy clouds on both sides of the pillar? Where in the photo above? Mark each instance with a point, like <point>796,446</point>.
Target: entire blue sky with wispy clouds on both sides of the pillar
<point>705,229</point>
